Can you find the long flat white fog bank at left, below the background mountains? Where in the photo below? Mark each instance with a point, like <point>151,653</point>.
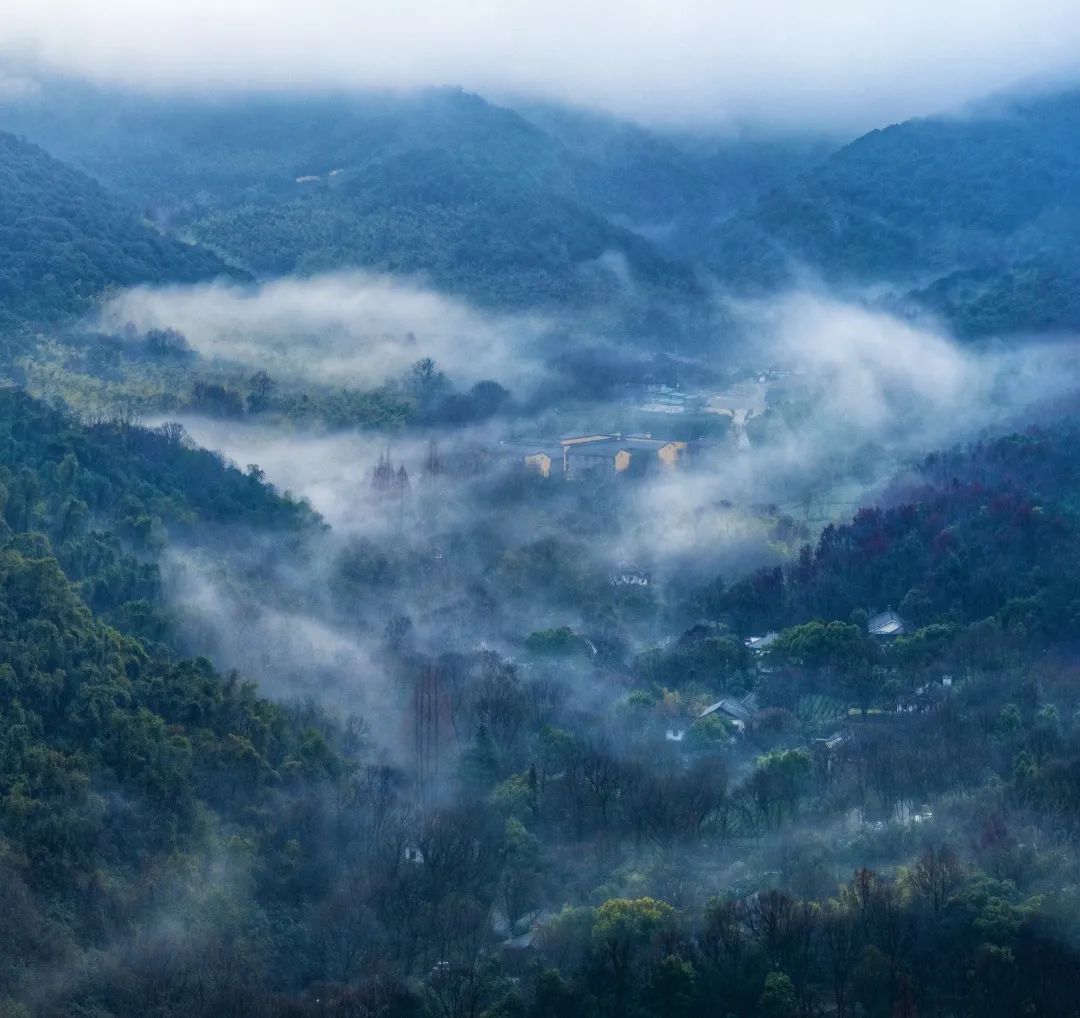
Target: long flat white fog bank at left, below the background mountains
<point>347,329</point>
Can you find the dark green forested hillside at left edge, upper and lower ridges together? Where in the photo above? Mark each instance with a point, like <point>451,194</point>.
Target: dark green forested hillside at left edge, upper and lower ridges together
<point>128,778</point>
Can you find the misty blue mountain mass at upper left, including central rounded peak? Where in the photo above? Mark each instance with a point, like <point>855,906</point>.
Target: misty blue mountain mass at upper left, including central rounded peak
<point>440,184</point>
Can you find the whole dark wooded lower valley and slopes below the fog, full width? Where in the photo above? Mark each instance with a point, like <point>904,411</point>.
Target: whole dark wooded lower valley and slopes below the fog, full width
<point>174,843</point>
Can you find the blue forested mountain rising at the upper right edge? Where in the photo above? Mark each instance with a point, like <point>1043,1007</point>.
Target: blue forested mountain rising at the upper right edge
<point>978,214</point>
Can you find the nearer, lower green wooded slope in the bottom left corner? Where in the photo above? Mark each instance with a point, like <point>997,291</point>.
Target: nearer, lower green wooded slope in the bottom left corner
<point>140,799</point>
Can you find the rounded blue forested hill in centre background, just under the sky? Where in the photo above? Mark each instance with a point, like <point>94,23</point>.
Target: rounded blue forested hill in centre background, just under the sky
<point>477,200</point>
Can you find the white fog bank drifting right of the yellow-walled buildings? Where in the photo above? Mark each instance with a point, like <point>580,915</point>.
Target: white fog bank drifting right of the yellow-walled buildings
<point>873,395</point>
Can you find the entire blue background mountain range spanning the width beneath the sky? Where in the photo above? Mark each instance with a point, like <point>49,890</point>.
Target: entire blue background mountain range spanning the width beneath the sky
<point>974,219</point>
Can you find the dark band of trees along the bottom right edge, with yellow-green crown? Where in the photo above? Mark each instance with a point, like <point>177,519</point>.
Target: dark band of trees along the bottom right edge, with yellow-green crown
<point>936,940</point>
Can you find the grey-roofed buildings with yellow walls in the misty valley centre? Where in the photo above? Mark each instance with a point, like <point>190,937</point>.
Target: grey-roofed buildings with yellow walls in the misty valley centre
<point>577,456</point>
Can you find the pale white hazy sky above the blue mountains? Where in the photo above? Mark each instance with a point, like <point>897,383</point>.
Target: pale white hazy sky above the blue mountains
<point>841,63</point>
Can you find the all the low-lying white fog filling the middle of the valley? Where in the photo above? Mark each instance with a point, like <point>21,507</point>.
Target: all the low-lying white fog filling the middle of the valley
<point>854,397</point>
